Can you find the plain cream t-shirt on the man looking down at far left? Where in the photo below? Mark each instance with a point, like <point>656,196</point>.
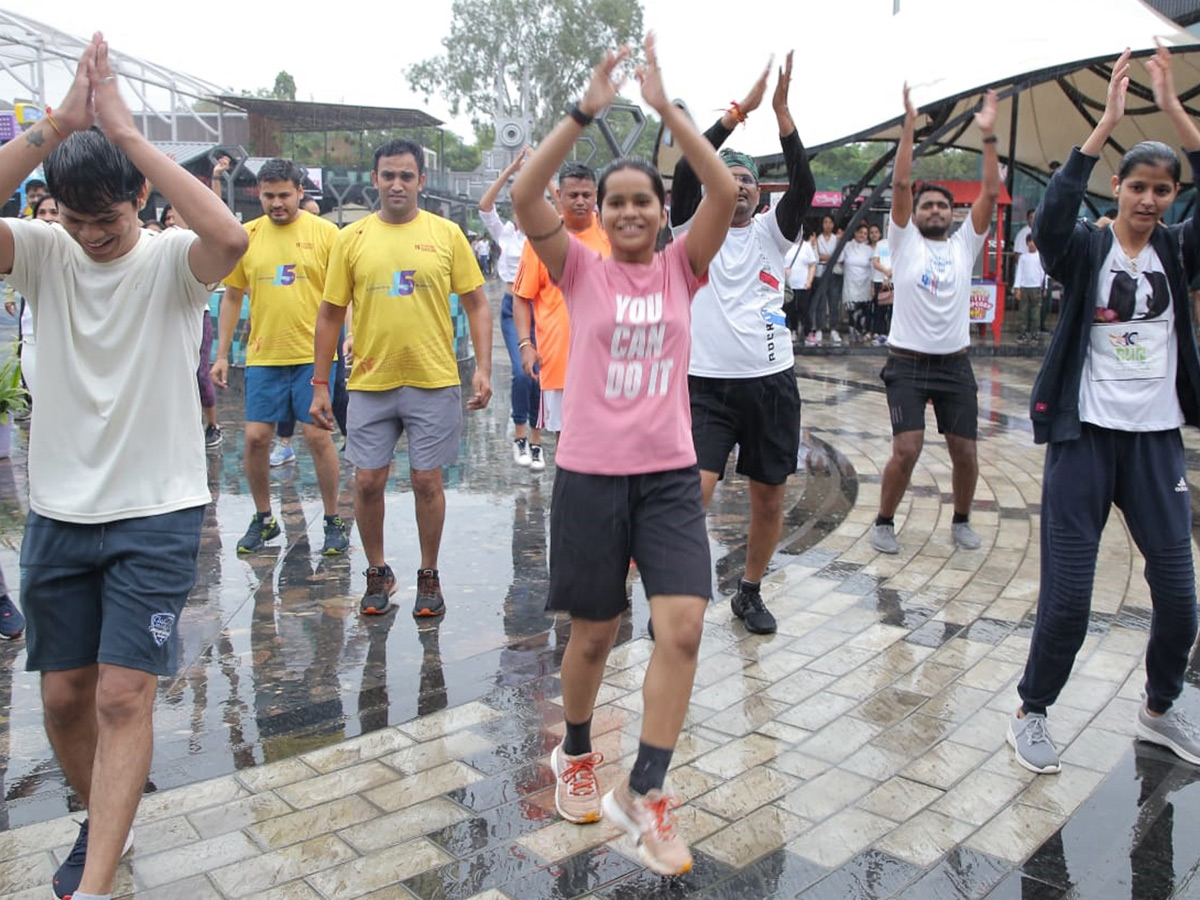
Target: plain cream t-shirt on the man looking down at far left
<point>118,428</point>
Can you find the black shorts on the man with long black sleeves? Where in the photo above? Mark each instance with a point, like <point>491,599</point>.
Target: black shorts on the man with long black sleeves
<point>761,416</point>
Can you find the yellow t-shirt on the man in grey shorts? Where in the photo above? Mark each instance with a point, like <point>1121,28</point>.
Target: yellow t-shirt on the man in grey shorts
<point>400,278</point>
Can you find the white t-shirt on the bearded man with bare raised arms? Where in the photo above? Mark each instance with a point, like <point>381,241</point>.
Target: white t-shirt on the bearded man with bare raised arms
<point>932,307</point>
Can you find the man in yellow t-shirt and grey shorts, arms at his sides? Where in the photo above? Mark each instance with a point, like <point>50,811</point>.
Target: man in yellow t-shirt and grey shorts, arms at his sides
<point>399,267</point>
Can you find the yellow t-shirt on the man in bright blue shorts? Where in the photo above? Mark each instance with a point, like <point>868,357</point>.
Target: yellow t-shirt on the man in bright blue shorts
<point>285,273</point>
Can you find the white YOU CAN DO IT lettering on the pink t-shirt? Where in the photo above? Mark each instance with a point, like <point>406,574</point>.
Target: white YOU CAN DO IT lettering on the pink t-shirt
<point>639,335</point>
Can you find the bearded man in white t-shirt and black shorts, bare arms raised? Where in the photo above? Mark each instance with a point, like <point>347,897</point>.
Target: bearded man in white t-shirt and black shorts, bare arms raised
<point>931,329</point>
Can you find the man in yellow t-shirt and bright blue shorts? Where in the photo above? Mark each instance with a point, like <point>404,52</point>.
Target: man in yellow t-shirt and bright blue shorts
<point>285,272</point>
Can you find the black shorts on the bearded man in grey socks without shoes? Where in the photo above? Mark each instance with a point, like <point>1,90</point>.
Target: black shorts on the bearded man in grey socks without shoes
<point>915,380</point>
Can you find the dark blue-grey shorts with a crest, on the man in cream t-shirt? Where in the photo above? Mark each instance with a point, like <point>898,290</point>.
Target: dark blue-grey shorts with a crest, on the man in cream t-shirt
<point>107,593</point>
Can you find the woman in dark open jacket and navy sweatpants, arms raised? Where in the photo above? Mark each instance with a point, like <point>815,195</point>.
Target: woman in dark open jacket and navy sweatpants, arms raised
<point>1121,376</point>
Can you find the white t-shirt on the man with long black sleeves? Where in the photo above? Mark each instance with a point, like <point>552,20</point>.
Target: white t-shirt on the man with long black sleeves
<point>739,329</point>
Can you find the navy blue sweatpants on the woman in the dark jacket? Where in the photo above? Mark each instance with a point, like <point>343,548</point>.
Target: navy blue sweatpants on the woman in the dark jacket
<point>1143,473</point>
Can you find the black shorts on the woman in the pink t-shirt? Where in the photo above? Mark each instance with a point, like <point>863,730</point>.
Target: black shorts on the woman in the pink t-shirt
<point>599,523</point>
